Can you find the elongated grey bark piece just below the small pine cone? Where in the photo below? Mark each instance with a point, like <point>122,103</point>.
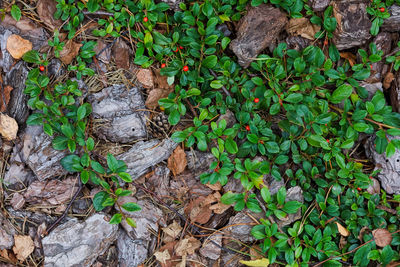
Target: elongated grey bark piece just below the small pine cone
<point>144,155</point>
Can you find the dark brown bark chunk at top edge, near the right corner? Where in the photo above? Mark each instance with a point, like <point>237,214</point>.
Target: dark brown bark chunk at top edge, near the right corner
<point>353,23</point>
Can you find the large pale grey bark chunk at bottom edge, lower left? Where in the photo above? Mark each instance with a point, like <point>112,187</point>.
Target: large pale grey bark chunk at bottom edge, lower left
<point>78,244</point>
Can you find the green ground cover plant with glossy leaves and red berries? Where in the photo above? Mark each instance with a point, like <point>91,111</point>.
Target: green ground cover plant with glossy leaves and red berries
<point>300,115</point>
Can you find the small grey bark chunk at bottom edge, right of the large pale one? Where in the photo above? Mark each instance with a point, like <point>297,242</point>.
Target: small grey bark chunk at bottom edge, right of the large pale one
<point>130,252</point>
